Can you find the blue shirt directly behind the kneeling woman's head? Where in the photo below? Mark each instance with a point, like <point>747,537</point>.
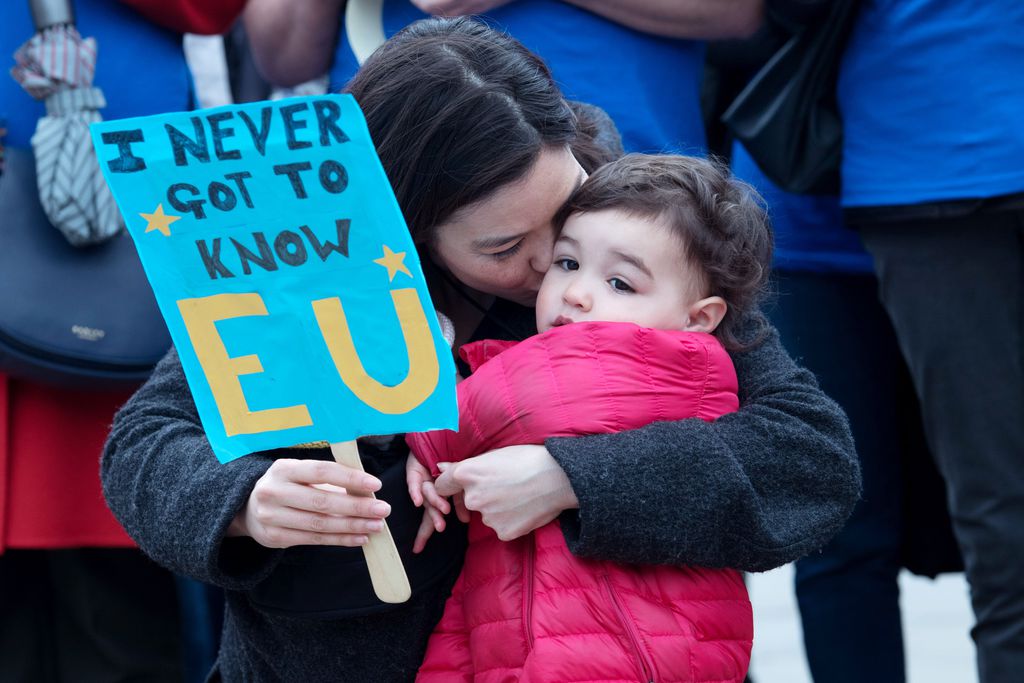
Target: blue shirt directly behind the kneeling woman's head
<point>649,86</point>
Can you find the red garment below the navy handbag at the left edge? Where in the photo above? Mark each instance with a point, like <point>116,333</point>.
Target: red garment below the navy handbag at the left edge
<point>51,441</point>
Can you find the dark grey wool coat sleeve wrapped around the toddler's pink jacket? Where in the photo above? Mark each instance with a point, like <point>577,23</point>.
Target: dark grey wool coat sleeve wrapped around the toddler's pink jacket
<point>753,491</point>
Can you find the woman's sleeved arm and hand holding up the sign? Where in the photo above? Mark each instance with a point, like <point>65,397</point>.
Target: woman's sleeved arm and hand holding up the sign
<point>219,523</point>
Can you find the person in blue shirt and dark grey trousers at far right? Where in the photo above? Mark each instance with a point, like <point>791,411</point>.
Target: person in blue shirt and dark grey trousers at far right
<point>931,102</point>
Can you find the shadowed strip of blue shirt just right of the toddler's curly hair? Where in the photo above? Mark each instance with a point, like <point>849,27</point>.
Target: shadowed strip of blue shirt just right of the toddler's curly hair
<point>810,235</point>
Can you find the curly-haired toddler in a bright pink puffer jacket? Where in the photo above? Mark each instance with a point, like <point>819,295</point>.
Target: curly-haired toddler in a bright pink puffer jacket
<point>659,262</point>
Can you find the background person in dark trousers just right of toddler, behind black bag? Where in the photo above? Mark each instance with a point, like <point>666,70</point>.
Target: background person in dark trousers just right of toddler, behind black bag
<point>827,300</point>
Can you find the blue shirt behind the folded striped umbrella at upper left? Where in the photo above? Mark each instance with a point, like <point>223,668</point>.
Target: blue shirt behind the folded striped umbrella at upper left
<point>141,67</point>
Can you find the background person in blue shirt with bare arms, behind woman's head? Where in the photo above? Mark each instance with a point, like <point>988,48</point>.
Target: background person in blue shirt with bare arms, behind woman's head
<point>639,61</point>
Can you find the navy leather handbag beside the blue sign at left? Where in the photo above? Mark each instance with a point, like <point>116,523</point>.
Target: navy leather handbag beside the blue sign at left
<point>73,317</point>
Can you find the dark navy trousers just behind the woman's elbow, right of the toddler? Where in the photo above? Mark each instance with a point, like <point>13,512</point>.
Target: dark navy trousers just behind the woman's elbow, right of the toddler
<point>848,593</point>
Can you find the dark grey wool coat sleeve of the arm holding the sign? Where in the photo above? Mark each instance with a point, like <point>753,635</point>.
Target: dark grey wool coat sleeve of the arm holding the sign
<point>170,493</point>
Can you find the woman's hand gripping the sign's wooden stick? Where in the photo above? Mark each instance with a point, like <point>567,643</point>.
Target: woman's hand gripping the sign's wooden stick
<point>312,503</point>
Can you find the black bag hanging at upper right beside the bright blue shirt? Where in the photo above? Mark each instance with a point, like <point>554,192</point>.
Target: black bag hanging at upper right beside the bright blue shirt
<point>787,117</point>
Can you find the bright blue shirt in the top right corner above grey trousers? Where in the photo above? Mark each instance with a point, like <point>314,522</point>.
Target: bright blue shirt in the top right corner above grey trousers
<point>932,97</point>
